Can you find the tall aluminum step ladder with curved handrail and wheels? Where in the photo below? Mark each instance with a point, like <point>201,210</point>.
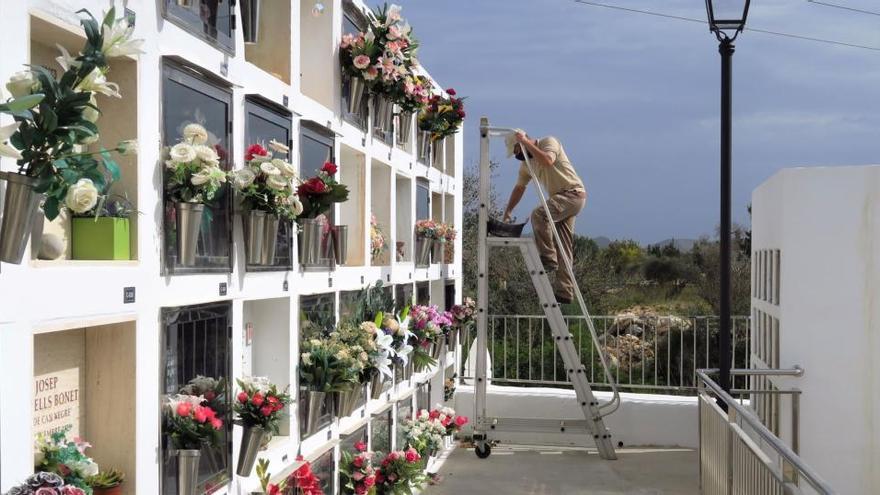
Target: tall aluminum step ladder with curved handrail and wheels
<point>593,410</point>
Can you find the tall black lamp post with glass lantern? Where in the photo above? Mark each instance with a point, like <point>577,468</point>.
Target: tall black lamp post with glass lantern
<point>727,18</point>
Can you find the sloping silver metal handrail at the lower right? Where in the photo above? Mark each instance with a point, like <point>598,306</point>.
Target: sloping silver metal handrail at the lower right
<point>778,445</point>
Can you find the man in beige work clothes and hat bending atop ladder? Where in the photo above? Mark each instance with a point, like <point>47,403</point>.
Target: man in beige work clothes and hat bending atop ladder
<point>567,197</point>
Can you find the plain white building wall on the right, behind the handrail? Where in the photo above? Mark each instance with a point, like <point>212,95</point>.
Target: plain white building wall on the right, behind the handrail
<point>825,222</point>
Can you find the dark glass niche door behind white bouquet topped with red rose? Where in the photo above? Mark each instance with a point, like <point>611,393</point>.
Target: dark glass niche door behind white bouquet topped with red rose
<point>267,123</point>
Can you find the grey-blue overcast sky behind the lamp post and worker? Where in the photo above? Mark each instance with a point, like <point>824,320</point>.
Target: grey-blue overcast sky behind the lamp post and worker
<point>634,98</point>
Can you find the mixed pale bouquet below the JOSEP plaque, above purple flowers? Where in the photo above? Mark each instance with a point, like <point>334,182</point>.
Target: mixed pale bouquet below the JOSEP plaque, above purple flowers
<point>67,458</point>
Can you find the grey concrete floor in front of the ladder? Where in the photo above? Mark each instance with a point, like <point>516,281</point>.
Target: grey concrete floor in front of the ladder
<point>552,471</point>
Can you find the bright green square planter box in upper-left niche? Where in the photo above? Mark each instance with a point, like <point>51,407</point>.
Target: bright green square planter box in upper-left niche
<point>104,238</point>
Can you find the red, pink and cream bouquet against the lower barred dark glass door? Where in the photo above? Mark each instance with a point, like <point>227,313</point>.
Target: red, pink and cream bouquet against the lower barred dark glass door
<point>190,424</point>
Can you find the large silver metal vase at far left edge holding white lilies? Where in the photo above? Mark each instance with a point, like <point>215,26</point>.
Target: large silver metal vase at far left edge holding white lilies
<point>20,213</point>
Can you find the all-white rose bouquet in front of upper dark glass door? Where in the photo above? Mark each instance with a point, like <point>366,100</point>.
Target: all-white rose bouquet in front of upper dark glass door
<point>193,172</point>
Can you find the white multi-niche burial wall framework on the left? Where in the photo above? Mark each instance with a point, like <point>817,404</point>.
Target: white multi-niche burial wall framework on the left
<point>43,297</point>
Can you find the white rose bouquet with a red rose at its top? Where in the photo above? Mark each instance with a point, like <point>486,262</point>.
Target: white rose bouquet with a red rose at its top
<point>268,183</point>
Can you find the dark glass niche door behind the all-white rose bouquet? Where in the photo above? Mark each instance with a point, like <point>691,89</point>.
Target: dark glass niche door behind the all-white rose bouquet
<point>190,99</point>
